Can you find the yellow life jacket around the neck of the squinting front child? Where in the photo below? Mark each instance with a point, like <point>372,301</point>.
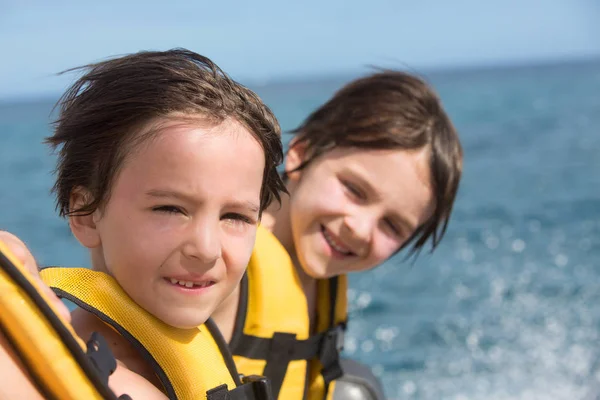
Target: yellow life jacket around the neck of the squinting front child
<point>190,363</point>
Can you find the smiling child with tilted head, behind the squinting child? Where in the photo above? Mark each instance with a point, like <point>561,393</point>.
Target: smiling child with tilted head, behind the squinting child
<point>374,170</point>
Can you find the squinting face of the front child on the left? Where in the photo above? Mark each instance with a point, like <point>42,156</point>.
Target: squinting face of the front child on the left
<point>180,223</point>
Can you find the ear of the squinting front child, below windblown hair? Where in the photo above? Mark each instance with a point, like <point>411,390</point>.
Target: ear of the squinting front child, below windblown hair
<point>83,226</point>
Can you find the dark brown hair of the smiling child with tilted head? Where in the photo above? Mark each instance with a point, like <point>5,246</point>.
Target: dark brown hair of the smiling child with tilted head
<point>392,110</point>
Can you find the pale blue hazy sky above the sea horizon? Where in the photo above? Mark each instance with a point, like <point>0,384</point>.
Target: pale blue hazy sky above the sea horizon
<point>273,39</point>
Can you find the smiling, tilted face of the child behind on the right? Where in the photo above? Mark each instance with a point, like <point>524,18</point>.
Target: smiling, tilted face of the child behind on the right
<point>351,209</point>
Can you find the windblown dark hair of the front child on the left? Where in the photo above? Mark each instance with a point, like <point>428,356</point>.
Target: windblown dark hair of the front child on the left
<point>102,115</point>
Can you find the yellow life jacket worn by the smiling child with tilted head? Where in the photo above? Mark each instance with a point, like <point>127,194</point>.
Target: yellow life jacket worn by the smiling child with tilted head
<point>272,332</point>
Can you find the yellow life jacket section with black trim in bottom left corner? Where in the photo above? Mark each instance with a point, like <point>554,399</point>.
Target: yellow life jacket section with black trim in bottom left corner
<point>51,352</point>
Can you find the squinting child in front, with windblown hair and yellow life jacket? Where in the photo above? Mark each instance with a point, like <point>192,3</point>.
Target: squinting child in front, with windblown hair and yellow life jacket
<point>165,167</point>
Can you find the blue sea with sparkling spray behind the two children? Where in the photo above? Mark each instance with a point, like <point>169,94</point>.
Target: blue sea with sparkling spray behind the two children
<point>508,306</point>
